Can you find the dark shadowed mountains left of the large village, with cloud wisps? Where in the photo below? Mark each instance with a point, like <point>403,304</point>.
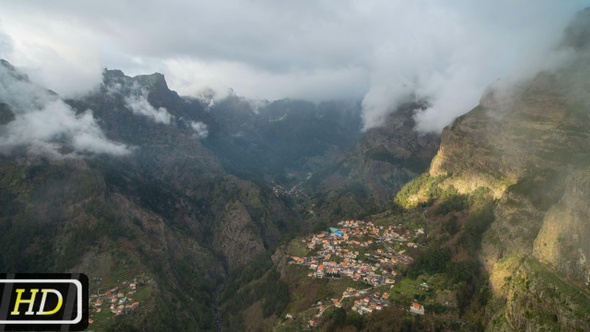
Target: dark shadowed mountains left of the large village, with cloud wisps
<point>133,183</point>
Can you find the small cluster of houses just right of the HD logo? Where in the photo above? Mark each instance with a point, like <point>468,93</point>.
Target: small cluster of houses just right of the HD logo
<point>118,300</point>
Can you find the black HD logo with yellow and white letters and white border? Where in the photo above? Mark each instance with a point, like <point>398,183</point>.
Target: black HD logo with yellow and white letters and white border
<point>51,302</point>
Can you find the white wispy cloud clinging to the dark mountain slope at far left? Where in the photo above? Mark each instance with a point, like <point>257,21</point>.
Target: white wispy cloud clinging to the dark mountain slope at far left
<point>43,123</point>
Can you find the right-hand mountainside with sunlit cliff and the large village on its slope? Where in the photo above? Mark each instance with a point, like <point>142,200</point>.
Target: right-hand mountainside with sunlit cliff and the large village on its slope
<point>493,231</point>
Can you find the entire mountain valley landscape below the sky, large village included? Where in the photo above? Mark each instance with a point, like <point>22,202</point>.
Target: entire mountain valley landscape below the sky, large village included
<point>205,207</point>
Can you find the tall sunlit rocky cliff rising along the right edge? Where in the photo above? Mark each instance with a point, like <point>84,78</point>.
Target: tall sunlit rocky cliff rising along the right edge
<point>531,146</point>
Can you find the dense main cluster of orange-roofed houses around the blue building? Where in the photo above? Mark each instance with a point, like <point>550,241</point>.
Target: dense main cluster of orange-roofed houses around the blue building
<point>337,252</point>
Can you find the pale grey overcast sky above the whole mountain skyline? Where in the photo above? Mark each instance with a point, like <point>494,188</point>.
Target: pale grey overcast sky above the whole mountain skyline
<point>380,51</point>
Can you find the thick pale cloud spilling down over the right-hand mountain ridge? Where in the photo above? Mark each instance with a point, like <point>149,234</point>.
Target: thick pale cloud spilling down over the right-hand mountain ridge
<point>457,51</point>
